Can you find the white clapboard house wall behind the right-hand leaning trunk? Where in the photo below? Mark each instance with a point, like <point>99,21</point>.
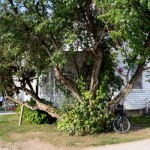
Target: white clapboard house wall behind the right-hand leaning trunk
<point>139,97</point>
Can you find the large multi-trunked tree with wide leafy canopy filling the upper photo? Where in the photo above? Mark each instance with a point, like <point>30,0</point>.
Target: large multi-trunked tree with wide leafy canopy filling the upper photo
<point>36,35</point>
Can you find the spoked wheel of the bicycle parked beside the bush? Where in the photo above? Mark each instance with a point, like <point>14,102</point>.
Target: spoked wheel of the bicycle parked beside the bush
<point>121,124</point>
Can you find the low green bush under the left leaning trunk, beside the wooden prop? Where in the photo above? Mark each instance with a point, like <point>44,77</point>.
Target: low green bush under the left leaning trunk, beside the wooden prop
<point>36,116</point>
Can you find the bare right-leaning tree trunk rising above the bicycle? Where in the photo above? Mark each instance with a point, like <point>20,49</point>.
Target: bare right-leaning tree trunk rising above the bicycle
<point>127,89</point>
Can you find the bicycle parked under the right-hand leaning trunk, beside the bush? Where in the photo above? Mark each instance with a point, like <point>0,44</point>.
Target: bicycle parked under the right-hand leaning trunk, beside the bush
<point>120,124</point>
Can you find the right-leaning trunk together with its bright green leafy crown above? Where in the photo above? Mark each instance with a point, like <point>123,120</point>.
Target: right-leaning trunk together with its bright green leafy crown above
<point>128,22</point>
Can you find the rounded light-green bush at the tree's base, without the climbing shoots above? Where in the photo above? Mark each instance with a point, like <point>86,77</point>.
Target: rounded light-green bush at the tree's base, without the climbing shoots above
<point>86,118</point>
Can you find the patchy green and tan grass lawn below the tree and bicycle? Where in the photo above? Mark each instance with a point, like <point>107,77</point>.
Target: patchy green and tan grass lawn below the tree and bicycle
<point>11,132</point>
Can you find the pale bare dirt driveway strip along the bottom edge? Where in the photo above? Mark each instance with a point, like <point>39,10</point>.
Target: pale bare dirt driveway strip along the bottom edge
<point>36,144</point>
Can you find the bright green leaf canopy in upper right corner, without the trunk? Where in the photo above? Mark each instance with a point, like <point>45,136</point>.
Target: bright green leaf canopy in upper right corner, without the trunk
<point>129,21</point>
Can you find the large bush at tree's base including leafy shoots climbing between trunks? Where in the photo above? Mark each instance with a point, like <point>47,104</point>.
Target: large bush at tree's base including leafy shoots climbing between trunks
<point>91,115</point>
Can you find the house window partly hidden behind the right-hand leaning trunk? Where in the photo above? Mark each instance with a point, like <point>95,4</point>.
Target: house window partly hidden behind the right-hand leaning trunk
<point>139,82</point>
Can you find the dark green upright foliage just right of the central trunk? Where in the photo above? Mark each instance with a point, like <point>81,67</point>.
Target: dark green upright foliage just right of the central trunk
<point>110,82</point>
